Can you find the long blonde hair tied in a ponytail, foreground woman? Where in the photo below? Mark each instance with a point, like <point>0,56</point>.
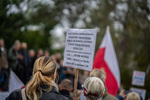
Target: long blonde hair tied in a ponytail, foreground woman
<point>44,69</point>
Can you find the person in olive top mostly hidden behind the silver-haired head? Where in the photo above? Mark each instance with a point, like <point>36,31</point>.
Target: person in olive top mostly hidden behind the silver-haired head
<point>100,73</point>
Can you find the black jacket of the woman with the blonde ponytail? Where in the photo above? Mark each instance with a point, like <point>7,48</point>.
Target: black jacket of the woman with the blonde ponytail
<point>52,95</point>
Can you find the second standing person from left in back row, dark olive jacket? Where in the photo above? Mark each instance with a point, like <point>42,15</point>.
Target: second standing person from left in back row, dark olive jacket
<point>14,57</point>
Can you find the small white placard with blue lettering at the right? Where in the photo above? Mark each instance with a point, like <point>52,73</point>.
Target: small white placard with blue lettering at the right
<point>138,78</point>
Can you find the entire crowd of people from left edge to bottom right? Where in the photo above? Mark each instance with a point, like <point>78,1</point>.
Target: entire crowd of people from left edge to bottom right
<point>32,67</point>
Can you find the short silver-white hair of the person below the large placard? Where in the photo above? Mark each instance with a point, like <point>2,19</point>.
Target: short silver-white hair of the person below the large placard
<point>93,88</point>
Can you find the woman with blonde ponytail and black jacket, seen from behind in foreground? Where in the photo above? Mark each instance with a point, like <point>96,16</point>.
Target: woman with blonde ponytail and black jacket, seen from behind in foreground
<point>42,86</point>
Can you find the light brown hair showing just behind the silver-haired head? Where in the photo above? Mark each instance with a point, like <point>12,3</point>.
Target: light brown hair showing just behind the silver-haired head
<point>100,73</point>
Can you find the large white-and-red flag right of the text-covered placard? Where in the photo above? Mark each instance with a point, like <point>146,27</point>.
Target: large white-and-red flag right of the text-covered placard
<point>106,58</point>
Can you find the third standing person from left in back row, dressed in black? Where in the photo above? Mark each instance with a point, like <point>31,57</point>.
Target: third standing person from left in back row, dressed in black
<point>24,63</point>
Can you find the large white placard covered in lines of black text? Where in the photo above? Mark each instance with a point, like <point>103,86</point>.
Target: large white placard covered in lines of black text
<point>79,48</point>
